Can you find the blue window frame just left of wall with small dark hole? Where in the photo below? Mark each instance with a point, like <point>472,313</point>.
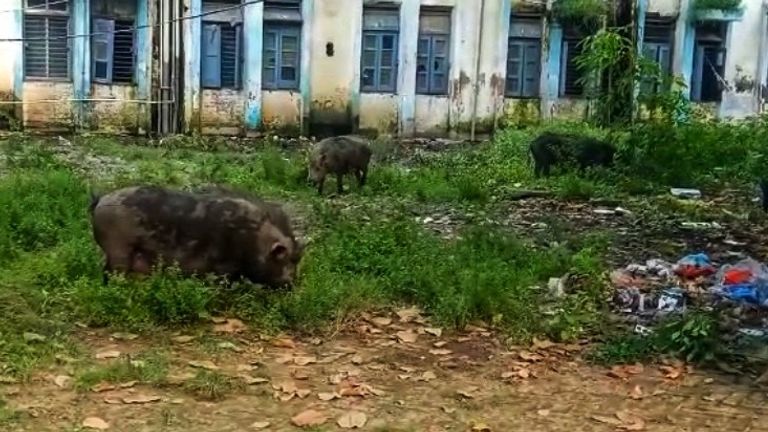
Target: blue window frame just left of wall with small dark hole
<point>280,30</point>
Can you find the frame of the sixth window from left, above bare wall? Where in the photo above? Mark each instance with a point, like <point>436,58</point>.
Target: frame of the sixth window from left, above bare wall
<point>432,37</point>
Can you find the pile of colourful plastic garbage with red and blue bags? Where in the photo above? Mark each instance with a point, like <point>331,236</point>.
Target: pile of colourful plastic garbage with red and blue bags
<point>659,288</point>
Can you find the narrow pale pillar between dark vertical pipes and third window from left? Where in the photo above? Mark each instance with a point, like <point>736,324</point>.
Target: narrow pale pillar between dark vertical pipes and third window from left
<point>192,52</point>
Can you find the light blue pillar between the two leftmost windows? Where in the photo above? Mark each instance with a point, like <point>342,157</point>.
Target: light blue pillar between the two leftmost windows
<point>80,17</point>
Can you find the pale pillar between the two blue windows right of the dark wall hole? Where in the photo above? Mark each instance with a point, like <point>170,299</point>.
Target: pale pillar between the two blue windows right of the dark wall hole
<point>406,80</point>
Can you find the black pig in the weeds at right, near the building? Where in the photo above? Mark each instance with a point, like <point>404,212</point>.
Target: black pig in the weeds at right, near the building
<point>554,148</point>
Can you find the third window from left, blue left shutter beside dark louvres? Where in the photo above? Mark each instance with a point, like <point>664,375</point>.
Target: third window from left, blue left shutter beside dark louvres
<point>220,53</point>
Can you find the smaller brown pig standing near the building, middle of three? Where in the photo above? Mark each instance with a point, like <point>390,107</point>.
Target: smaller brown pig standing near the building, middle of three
<point>339,155</point>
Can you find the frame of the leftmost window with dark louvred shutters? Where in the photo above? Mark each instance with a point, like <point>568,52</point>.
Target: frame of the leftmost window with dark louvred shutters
<point>47,14</point>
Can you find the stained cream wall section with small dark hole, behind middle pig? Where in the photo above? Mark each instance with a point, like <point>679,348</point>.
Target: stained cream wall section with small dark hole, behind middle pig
<point>335,64</point>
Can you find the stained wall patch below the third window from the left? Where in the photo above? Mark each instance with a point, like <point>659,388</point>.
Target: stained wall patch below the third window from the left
<point>222,111</point>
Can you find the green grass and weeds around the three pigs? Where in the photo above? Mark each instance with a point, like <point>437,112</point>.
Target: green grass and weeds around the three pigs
<point>368,251</point>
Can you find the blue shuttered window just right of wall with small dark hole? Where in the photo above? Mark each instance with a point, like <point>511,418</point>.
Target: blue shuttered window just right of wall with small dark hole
<point>379,57</point>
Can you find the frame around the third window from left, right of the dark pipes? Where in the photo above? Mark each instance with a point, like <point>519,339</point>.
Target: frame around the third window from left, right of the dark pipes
<point>217,79</point>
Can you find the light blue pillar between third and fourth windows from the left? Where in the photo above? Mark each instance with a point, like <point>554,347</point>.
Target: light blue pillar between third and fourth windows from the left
<point>253,41</point>
